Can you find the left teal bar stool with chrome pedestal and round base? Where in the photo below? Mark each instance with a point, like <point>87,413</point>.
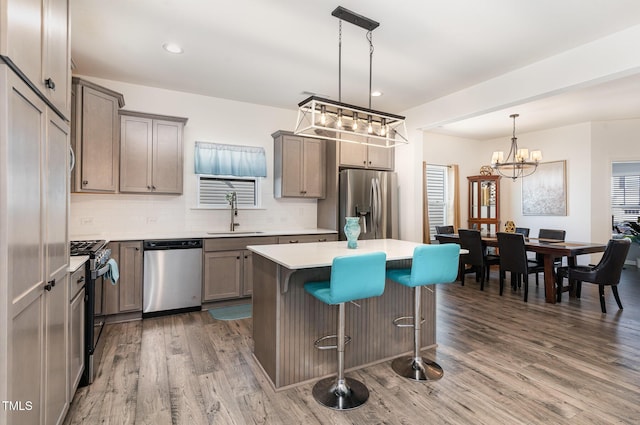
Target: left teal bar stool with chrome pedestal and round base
<point>353,277</point>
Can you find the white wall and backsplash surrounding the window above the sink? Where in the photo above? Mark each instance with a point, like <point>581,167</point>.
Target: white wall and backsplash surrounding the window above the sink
<point>210,119</point>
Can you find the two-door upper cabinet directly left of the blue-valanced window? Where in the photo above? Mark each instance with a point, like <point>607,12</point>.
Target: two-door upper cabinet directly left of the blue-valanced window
<point>151,153</point>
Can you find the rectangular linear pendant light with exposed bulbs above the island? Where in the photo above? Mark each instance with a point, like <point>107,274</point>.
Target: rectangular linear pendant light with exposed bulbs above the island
<point>327,119</point>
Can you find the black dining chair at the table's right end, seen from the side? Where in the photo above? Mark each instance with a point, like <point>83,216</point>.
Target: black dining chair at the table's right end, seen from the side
<point>606,273</point>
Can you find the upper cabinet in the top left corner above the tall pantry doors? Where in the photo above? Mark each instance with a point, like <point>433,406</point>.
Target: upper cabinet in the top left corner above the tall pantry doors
<point>36,41</point>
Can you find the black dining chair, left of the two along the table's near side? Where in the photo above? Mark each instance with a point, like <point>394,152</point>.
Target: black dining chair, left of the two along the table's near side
<point>477,259</point>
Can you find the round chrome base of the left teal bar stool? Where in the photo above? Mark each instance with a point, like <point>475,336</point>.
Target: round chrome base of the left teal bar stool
<point>347,395</point>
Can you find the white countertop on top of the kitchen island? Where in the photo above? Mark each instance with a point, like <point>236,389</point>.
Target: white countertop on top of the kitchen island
<point>321,254</point>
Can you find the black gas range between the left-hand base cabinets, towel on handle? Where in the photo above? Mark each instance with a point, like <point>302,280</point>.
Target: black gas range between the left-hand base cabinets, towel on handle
<point>97,265</point>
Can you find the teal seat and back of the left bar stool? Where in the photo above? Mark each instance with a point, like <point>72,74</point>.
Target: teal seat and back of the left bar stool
<point>353,277</point>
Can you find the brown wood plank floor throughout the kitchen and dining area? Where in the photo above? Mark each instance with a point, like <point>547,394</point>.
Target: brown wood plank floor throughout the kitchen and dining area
<point>505,362</point>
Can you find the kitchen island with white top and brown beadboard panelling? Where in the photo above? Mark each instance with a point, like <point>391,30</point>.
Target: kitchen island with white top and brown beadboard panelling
<point>287,320</point>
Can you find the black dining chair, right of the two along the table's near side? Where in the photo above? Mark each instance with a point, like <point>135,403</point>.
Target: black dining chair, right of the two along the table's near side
<point>513,259</point>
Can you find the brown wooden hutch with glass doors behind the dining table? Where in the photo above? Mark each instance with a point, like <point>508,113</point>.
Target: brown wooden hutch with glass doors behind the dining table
<point>484,203</point>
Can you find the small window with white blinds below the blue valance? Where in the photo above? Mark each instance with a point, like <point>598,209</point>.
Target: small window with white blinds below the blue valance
<point>213,190</point>
